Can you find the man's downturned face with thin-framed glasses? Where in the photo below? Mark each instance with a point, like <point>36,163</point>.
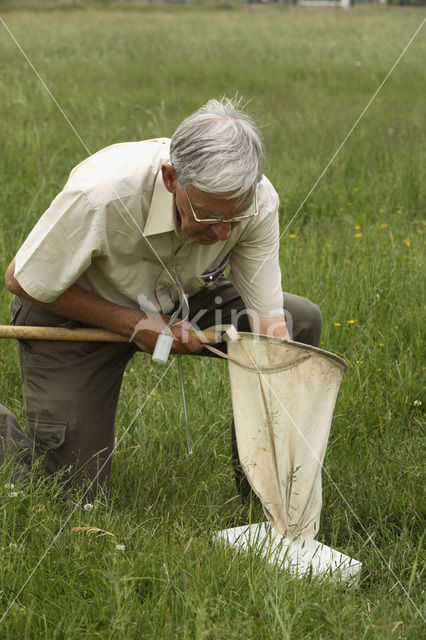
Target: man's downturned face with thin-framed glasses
<point>205,206</point>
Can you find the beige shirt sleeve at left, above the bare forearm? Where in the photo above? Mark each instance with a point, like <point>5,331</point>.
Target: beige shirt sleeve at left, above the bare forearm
<point>60,247</point>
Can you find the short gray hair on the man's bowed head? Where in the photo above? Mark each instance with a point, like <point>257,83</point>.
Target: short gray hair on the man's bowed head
<point>218,149</point>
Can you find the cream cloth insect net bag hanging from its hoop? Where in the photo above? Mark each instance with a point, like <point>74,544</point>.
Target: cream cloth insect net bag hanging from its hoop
<point>283,396</point>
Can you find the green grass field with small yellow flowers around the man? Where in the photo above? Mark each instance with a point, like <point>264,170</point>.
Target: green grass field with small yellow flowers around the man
<point>355,247</point>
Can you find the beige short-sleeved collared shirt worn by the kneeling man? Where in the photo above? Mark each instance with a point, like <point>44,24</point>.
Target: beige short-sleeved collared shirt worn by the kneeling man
<point>114,231</point>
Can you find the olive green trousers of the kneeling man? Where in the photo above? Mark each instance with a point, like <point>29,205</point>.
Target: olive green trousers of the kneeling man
<point>71,389</point>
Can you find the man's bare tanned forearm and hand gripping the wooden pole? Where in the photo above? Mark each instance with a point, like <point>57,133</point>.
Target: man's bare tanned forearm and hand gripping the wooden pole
<point>85,307</point>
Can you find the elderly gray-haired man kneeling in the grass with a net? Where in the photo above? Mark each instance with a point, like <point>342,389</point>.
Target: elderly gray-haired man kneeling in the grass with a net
<point>133,221</point>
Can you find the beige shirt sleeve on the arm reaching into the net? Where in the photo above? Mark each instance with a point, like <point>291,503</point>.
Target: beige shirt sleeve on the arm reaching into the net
<point>255,269</point>
